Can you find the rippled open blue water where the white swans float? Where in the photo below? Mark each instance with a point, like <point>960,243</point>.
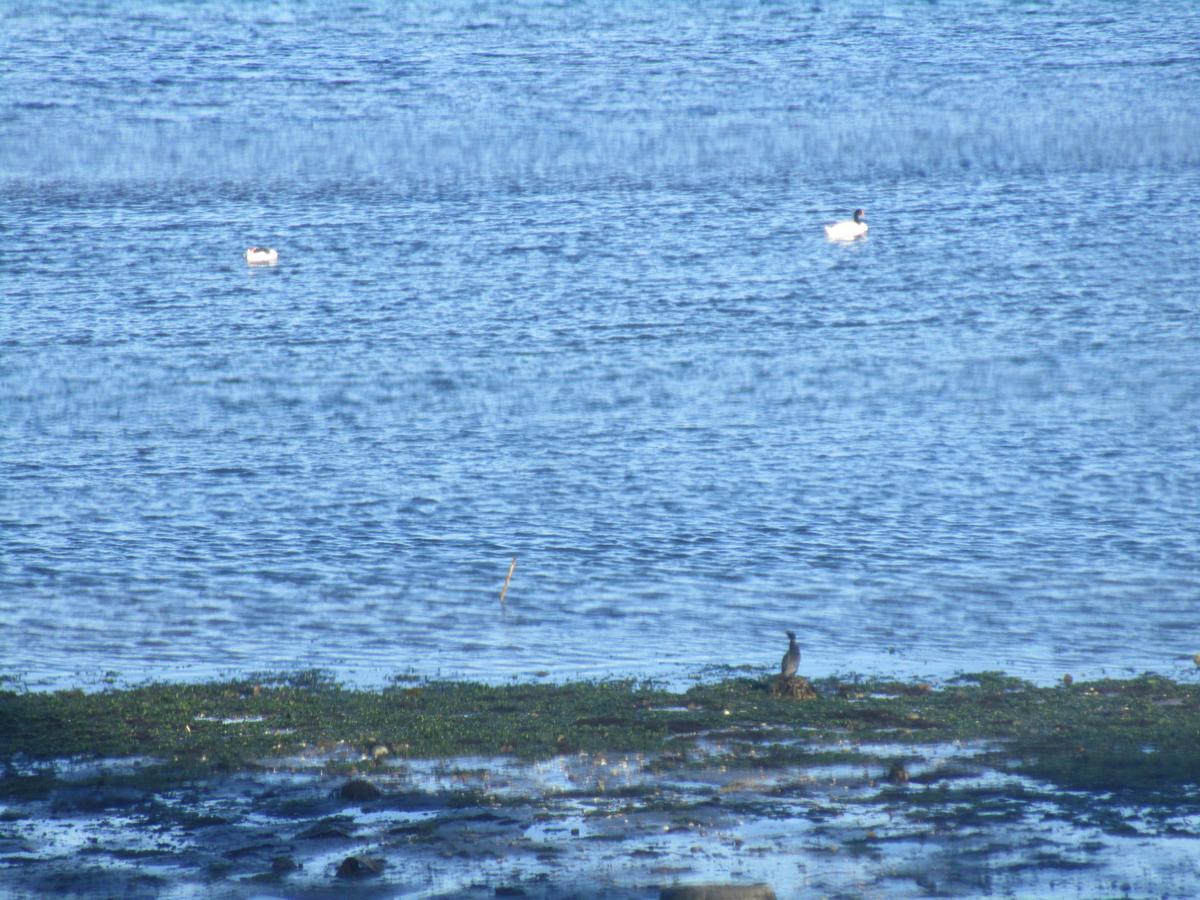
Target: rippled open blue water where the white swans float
<point>553,284</point>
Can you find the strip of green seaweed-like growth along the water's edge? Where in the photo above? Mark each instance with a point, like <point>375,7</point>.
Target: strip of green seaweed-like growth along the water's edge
<point>1141,734</point>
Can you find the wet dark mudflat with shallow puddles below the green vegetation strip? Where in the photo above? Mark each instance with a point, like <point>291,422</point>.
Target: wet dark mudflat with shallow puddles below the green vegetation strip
<point>596,827</point>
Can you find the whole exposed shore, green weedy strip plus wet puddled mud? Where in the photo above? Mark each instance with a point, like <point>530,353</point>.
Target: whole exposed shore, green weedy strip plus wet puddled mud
<point>296,785</point>
